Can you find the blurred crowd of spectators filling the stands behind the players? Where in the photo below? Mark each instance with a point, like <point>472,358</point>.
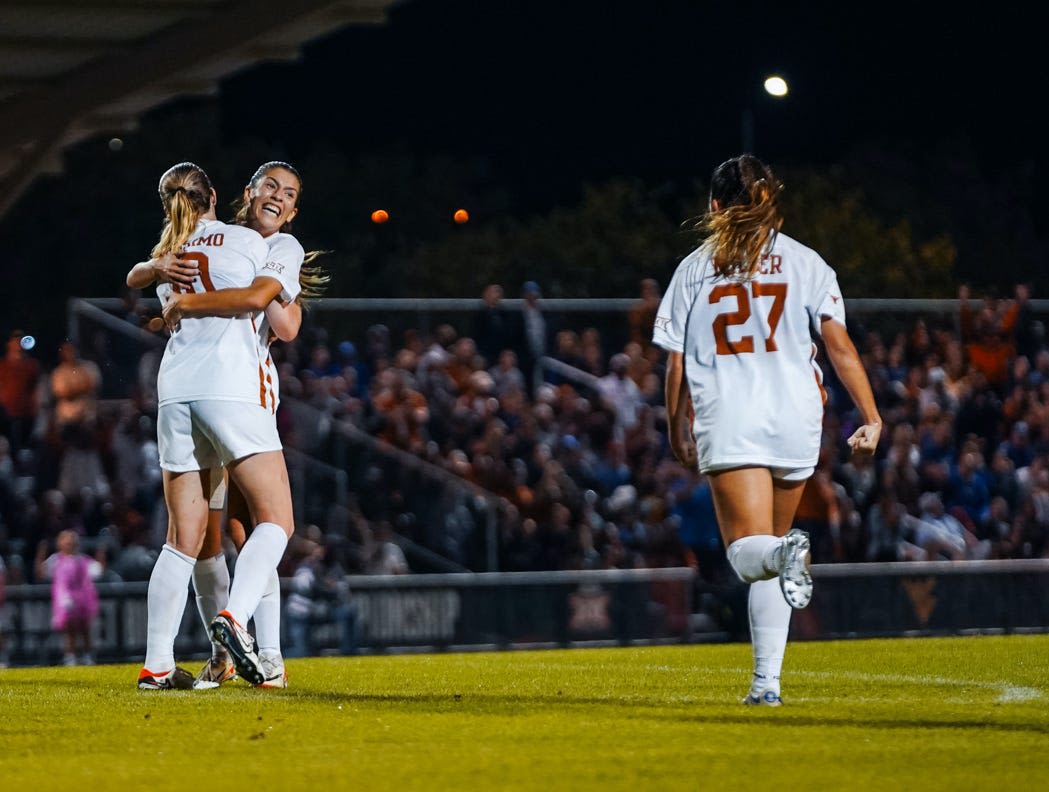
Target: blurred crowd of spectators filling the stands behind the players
<point>575,451</point>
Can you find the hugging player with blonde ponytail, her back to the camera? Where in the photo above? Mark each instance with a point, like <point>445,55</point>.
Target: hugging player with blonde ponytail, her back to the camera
<point>216,410</point>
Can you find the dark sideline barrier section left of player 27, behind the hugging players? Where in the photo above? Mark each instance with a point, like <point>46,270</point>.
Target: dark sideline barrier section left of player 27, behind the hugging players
<point>392,613</point>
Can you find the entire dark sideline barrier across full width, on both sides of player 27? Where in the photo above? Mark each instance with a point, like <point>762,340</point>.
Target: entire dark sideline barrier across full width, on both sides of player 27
<point>543,610</point>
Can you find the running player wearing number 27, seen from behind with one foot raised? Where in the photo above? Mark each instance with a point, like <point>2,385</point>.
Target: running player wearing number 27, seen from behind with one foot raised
<point>745,397</point>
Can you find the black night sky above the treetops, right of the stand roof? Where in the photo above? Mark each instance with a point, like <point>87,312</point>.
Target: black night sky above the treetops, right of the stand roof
<point>559,93</point>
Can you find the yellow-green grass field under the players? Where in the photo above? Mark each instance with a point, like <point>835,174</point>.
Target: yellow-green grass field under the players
<point>958,714</point>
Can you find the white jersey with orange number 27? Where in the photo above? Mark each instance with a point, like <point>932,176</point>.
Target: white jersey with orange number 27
<point>750,355</point>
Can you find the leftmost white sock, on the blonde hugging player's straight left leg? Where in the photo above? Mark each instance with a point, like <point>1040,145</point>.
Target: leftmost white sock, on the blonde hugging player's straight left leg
<point>165,603</point>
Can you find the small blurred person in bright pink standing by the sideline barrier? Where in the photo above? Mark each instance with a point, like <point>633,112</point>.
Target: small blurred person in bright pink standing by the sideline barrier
<point>75,601</point>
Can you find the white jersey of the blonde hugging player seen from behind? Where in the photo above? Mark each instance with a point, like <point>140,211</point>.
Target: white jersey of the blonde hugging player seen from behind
<point>218,358</point>
